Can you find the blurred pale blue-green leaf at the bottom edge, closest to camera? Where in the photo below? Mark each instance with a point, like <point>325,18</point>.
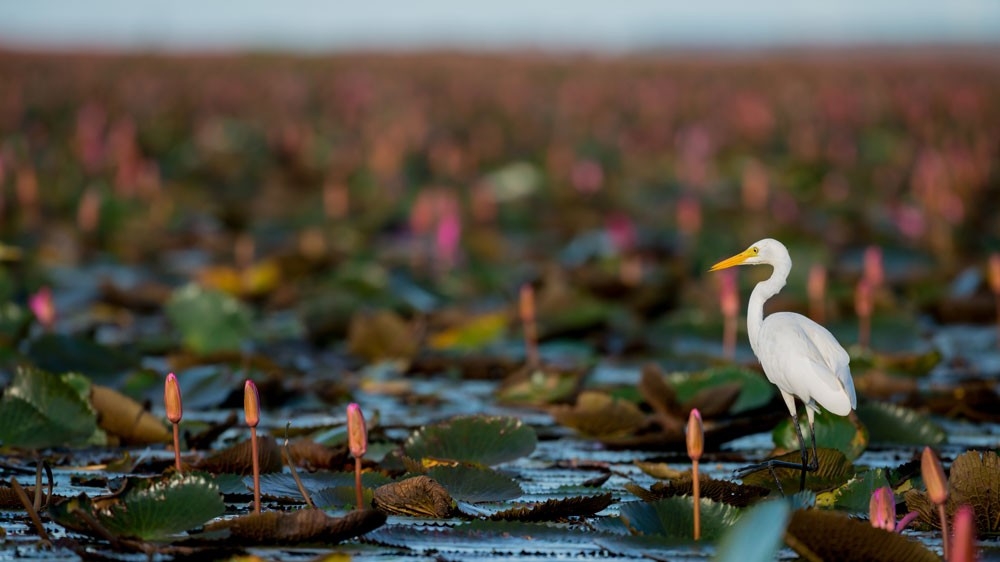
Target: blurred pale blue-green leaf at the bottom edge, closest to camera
<point>758,534</point>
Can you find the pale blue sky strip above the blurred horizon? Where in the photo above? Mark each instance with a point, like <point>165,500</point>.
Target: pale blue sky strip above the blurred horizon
<point>334,25</point>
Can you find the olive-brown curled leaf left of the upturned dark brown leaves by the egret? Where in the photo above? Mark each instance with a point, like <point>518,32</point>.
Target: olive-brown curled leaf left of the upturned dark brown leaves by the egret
<point>600,415</point>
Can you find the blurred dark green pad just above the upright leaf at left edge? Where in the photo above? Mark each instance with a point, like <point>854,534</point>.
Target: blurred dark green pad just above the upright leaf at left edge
<point>59,353</point>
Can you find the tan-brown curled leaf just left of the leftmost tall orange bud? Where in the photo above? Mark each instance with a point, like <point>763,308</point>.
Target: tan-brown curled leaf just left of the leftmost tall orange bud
<point>125,418</point>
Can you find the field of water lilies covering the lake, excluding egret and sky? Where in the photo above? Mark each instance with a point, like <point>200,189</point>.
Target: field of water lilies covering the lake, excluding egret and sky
<point>463,302</point>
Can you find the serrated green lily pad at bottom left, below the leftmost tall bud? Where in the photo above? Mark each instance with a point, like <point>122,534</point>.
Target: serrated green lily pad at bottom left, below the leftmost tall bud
<point>164,508</point>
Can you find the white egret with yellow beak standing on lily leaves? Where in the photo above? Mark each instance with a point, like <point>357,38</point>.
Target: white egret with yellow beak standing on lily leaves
<point>799,356</point>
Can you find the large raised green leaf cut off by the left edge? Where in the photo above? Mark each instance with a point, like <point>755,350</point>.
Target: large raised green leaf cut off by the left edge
<point>41,410</point>
